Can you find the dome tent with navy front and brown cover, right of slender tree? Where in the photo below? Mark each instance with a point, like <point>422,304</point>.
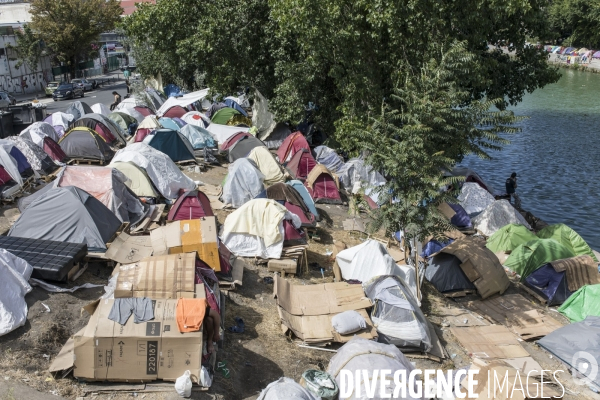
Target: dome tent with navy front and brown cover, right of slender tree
<point>467,264</point>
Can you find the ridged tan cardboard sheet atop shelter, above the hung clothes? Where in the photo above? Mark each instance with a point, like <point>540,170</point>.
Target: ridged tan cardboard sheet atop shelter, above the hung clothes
<point>158,277</point>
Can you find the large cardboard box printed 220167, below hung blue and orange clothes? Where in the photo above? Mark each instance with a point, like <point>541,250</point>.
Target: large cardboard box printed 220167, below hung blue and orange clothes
<point>143,352</point>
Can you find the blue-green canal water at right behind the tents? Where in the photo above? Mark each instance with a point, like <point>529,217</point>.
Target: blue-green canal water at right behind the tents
<point>557,154</point>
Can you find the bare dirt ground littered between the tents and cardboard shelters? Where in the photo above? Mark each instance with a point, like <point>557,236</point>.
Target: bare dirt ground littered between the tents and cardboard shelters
<point>256,357</point>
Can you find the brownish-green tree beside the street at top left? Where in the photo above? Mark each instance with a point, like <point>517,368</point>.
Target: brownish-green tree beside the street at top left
<point>69,27</point>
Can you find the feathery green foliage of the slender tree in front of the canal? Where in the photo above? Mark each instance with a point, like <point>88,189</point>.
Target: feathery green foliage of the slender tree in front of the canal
<point>425,128</point>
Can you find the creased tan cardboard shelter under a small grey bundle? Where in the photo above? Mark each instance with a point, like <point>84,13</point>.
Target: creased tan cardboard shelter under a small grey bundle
<point>307,309</point>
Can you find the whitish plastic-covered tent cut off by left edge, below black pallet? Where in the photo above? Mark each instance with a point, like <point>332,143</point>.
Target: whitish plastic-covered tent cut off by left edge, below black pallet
<point>13,287</point>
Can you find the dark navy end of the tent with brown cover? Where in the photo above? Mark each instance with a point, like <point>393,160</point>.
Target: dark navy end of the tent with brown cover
<point>445,274</point>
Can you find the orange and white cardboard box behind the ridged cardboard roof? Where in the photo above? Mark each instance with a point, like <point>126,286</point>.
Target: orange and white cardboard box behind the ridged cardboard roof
<point>199,235</point>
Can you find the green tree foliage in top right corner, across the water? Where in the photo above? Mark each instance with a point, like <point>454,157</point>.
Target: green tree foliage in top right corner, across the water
<point>575,22</point>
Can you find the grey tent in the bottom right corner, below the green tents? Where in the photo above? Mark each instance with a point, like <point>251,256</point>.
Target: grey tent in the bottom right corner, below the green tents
<point>574,343</point>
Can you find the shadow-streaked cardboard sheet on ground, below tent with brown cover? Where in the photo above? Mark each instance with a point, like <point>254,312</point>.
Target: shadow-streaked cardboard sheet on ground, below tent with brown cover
<point>518,313</point>
